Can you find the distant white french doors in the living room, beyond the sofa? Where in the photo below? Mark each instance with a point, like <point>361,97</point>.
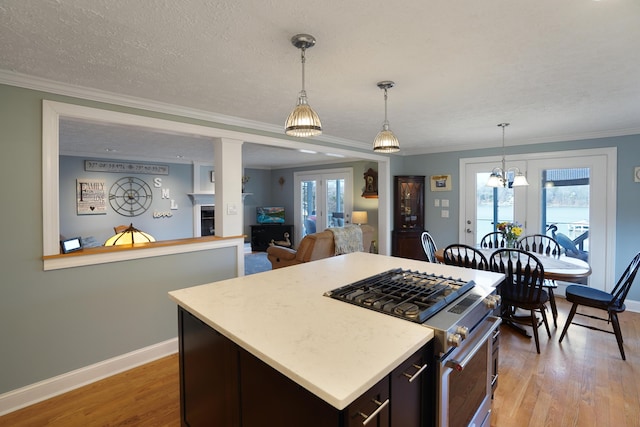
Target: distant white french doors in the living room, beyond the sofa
<point>322,199</point>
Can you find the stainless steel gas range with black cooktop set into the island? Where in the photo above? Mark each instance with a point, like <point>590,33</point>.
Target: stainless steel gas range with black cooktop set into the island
<point>466,334</point>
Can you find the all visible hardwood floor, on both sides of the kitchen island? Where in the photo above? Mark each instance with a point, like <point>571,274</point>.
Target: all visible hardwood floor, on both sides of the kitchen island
<point>581,382</point>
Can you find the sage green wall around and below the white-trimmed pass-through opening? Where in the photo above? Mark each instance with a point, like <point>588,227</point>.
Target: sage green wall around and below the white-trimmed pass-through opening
<point>53,322</point>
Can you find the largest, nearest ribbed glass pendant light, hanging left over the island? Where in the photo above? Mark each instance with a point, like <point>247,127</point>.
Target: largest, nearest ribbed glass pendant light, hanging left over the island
<point>303,121</point>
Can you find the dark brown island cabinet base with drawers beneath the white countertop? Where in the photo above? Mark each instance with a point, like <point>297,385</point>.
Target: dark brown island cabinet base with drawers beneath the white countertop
<point>224,385</point>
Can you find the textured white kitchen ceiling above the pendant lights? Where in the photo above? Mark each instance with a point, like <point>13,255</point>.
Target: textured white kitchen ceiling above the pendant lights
<point>555,69</point>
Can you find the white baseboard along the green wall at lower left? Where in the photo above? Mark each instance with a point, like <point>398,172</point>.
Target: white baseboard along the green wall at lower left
<point>34,393</point>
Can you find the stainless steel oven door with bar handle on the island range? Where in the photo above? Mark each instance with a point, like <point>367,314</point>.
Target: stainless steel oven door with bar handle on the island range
<point>465,379</point>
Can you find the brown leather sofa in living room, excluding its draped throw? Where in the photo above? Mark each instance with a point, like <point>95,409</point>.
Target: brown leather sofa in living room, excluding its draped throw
<point>312,247</point>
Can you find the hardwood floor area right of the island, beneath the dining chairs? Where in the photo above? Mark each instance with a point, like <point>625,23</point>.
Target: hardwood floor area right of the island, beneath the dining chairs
<point>581,382</point>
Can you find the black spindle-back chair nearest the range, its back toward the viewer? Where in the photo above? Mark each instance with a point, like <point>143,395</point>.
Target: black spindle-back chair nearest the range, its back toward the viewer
<point>522,288</point>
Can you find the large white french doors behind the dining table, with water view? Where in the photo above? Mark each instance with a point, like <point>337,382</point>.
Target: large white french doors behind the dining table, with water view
<point>570,193</point>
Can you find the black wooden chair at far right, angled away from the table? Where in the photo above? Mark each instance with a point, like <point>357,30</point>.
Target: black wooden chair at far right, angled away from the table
<point>612,303</point>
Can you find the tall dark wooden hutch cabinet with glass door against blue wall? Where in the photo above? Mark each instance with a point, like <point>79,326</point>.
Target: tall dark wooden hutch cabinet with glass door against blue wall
<point>408,217</point>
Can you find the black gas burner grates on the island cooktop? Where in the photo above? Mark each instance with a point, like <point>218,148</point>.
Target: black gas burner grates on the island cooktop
<point>407,294</point>
